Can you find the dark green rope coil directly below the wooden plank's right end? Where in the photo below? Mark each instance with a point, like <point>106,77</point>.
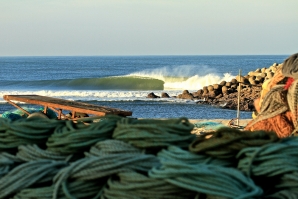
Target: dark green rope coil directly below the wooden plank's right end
<point>77,137</point>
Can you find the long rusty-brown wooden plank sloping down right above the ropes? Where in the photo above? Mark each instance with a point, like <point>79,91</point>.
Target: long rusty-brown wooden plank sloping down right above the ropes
<point>67,105</point>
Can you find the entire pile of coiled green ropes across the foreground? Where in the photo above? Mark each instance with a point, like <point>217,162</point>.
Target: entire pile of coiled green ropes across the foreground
<point>129,158</point>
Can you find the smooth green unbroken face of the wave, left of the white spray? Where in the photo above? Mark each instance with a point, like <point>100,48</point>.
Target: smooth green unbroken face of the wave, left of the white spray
<point>106,83</point>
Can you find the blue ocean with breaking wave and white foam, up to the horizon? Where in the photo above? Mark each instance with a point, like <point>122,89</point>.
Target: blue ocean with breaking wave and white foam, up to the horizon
<point>125,81</point>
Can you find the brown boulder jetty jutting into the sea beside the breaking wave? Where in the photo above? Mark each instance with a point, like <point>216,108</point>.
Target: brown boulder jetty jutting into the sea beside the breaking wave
<point>225,94</point>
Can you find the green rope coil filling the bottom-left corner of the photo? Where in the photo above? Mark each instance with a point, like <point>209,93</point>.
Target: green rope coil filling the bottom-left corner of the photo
<point>27,174</point>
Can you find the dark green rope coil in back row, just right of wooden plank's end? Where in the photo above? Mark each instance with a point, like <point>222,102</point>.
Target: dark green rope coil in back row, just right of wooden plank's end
<point>146,133</point>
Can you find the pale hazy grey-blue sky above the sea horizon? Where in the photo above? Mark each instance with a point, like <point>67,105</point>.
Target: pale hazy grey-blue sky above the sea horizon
<point>148,27</point>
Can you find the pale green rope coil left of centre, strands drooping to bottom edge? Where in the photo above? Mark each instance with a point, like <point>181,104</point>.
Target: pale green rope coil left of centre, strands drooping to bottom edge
<point>95,167</point>
